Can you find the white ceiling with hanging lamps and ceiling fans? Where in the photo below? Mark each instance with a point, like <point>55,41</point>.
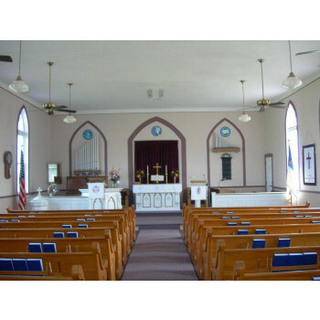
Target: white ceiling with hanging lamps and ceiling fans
<point>113,76</point>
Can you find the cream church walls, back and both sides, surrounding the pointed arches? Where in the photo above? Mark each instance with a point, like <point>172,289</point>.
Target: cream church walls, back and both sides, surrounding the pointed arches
<point>265,133</point>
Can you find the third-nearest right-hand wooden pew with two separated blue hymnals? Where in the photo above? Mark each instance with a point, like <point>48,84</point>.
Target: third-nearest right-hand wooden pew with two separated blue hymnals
<point>203,266</point>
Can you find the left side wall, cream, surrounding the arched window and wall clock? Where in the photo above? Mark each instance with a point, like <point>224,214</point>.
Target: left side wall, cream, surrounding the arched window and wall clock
<point>40,151</point>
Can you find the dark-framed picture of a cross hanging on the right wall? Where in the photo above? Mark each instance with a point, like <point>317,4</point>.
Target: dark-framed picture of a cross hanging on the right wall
<point>309,164</point>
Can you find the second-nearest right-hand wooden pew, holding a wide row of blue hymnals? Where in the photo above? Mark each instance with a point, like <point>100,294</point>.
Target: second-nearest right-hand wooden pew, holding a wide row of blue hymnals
<point>256,260</point>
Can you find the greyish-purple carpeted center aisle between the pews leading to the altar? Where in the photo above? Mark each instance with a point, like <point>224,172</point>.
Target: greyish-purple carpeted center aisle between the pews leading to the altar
<point>159,252</point>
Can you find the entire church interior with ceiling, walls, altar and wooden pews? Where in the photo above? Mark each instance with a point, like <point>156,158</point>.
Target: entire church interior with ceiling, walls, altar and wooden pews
<point>204,150</point>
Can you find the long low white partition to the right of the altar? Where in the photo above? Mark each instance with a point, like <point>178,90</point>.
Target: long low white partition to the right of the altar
<point>254,199</point>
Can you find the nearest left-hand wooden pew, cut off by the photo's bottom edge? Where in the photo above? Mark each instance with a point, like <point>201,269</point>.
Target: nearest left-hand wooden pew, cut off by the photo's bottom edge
<point>76,274</point>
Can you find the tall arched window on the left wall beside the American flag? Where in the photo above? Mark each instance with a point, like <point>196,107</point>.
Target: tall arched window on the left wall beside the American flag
<point>23,144</point>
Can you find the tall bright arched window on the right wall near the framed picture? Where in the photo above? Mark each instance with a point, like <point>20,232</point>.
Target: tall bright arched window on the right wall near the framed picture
<point>292,145</point>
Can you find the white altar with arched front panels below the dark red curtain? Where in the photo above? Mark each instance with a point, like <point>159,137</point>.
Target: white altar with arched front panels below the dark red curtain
<point>157,197</point>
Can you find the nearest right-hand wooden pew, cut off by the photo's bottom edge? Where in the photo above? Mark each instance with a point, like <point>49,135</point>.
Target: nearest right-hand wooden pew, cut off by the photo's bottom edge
<point>241,274</point>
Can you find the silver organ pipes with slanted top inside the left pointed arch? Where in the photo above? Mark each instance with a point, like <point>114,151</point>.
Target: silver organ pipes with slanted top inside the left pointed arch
<point>87,156</point>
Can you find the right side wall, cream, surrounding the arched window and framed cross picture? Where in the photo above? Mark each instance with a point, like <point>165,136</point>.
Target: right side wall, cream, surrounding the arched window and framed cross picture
<point>306,102</point>
